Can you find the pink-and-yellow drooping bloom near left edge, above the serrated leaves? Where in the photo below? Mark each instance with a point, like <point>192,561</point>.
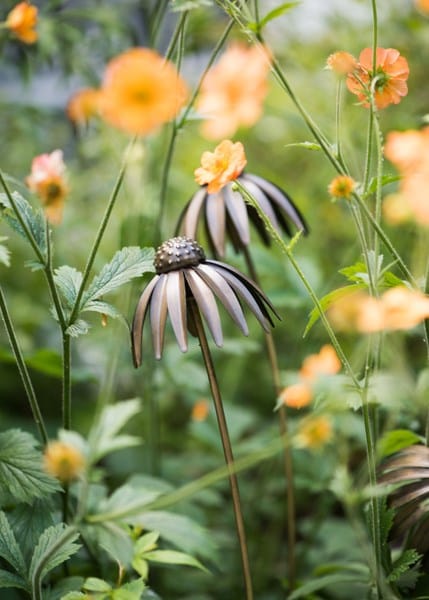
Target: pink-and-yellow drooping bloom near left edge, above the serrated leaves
<point>47,180</point>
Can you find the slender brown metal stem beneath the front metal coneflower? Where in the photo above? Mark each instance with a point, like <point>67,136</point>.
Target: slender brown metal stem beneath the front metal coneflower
<point>226,444</point>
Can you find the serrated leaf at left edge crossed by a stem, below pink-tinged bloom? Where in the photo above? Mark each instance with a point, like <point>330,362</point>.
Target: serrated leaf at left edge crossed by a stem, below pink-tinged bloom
<point>34,219</point>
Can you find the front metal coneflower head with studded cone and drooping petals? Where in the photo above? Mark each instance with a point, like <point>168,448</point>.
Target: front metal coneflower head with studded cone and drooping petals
<point>185,276</point>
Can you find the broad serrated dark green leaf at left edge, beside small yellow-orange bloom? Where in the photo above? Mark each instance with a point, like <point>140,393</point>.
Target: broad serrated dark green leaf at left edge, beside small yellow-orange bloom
<point>22,477</point>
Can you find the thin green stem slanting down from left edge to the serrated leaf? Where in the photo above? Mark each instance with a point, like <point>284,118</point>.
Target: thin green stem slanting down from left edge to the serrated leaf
<point>22,368</point>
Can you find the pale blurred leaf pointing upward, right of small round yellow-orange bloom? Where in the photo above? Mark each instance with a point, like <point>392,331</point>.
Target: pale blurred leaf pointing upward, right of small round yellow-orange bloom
<point>105,438</point>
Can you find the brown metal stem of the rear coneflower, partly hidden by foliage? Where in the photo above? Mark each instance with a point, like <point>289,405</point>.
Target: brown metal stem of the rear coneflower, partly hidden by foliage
<point>283,427</point>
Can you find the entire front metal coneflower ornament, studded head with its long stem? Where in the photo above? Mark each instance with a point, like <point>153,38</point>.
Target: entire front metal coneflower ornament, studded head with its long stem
<point>185,287</point>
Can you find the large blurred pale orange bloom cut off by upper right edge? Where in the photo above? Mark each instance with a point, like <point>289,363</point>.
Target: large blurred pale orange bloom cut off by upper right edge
<point>409,152</point>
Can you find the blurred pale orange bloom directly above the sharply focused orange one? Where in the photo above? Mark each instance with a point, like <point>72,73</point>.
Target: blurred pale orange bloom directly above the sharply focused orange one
<point>233,91</point>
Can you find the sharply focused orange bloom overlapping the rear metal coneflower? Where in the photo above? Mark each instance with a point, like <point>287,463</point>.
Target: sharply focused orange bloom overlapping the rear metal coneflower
<point>220,167</point>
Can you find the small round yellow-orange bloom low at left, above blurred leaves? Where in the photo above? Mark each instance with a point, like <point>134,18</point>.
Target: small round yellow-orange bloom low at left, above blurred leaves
<point>63,461</point>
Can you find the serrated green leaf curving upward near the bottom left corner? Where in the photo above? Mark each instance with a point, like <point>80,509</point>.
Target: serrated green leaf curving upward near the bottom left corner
<point>55,546</point>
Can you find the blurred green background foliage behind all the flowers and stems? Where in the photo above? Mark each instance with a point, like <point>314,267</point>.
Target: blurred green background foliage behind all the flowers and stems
<point>76,39</point>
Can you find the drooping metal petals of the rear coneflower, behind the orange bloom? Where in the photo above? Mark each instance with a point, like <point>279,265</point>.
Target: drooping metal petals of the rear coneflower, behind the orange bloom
<point>227,215</point>
